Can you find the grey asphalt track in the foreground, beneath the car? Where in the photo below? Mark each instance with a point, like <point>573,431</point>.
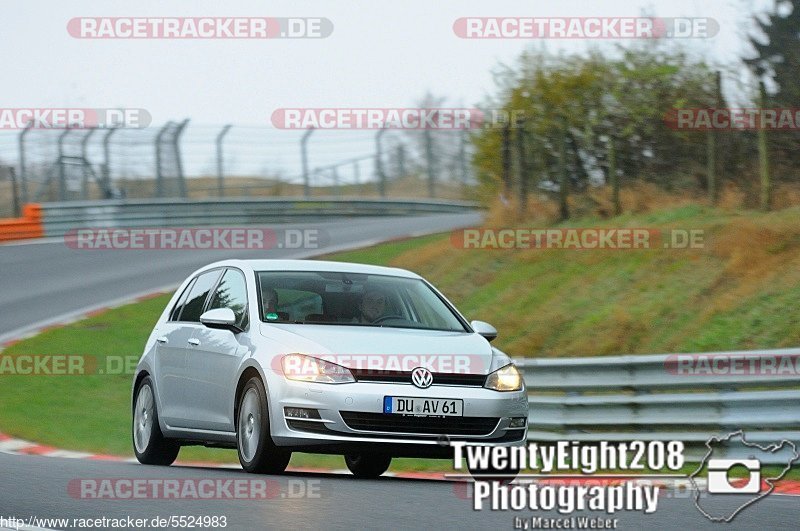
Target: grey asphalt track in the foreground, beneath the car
<point>38,486</point>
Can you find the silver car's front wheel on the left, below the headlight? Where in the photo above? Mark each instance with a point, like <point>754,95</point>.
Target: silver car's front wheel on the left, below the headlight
<point>257,451</point>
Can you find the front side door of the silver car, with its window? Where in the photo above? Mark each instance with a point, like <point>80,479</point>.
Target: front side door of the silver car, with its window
<point>214,357</point>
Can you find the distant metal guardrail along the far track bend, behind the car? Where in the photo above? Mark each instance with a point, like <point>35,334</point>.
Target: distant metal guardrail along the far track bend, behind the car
<point>60,217</point>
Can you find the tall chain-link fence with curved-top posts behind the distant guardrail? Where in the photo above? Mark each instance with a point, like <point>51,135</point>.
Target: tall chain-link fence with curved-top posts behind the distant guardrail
<point>184,160</point>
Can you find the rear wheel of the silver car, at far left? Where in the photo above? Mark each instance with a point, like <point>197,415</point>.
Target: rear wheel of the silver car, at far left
<point>149,444</point>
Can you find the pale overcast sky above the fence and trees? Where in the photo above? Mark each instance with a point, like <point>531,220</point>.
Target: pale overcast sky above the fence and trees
<point>381,53</point>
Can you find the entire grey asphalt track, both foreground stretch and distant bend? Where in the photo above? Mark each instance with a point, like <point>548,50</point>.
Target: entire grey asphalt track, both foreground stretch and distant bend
<point>44,281</point>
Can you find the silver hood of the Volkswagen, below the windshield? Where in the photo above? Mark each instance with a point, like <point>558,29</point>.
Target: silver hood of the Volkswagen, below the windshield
<point>387,348</point>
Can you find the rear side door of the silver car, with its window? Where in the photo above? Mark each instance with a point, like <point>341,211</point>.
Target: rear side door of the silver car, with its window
<point>174,343</point>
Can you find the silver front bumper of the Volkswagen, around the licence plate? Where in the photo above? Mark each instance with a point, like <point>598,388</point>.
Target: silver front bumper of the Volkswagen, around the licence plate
<point>486,419</point>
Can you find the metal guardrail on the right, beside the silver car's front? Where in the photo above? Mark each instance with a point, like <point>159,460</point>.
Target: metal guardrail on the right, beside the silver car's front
<point>667,397</point>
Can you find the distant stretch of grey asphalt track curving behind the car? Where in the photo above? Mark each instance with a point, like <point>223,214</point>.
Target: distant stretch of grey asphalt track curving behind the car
<point>46,279</point>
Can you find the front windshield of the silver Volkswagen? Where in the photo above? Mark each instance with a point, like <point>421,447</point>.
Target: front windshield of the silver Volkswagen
<point>354,299</point>
